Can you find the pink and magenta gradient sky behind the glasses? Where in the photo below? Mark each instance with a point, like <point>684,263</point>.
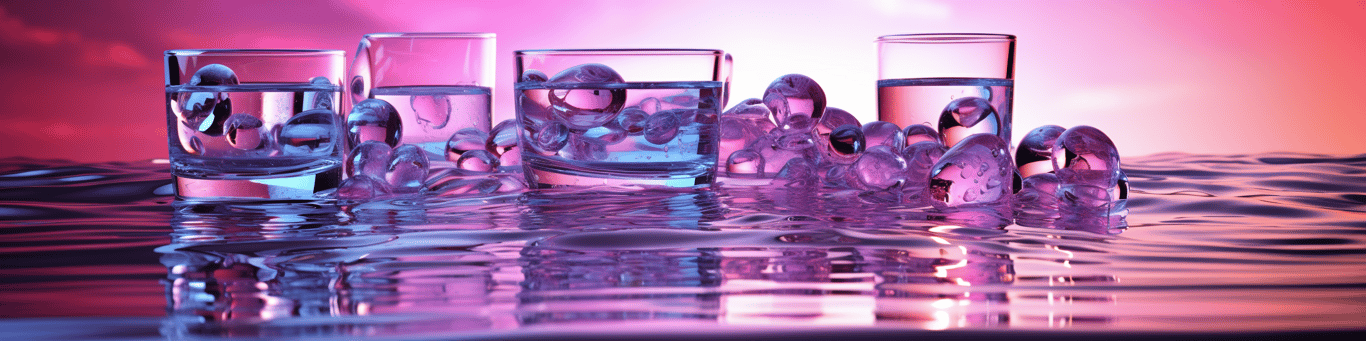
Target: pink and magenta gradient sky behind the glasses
<point>84,80</point>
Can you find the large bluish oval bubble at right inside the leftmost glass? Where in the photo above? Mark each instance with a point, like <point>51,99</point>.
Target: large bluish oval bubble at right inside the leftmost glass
<point>311,134</point>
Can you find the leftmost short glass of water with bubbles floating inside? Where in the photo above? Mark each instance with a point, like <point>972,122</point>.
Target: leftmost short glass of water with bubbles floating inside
<point>255,123</point>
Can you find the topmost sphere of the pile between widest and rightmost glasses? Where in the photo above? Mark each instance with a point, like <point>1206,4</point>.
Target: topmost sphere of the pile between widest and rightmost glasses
<point>797,102</point>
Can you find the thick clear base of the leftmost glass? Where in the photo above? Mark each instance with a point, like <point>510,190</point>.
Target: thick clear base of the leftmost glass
<point>275,189</point>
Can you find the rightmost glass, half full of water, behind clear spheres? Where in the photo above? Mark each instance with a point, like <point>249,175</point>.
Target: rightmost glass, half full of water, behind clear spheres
<point>958,84</point>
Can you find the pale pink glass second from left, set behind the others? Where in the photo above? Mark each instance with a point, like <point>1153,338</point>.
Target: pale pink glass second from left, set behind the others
<point>439,84</point>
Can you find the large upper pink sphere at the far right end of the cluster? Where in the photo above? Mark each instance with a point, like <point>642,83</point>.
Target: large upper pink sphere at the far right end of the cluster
<point>1087,156</point>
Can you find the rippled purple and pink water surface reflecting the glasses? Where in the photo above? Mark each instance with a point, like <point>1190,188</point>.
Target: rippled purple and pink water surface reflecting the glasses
<point>1233,243</point>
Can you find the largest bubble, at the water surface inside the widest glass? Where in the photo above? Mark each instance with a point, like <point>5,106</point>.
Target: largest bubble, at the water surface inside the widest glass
<point>587,108</point>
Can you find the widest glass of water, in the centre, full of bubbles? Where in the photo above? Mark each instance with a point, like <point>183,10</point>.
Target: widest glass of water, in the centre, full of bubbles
<point>619,118</point>
